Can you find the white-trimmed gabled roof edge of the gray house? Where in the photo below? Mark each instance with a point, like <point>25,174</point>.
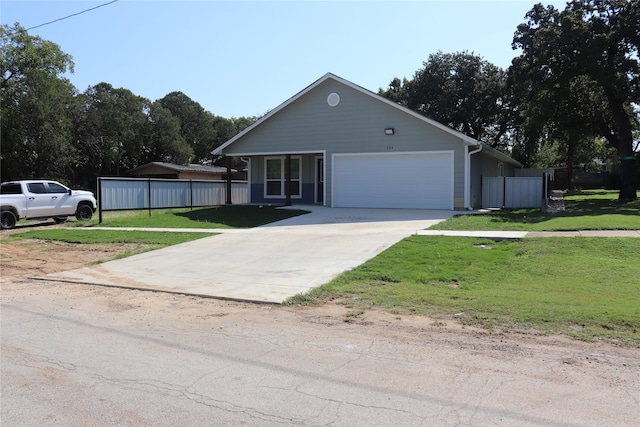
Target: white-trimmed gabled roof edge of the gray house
<point>329,76</point>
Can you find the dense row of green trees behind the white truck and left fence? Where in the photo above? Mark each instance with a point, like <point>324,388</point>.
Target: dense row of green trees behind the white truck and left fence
<point>51,131</point>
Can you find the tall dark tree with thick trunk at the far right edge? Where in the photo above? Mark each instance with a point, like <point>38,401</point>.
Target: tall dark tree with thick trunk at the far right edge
<point>593,45</point>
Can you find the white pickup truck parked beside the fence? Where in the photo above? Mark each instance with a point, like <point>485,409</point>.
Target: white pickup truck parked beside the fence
<point>41,199</point>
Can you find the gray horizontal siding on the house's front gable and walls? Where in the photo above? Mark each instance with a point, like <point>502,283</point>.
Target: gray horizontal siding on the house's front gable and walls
<point>355,125</point>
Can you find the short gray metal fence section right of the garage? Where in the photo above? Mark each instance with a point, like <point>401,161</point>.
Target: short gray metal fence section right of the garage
<point>514,192</point>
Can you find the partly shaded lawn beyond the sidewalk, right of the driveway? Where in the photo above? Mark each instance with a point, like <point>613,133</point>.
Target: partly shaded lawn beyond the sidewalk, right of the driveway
<point>586,210</point>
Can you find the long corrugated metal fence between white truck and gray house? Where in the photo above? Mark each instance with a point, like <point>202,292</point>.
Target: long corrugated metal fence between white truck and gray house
<point>150,193</point>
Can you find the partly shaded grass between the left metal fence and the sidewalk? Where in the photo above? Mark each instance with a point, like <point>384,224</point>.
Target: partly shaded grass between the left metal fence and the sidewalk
<point>236,216</point>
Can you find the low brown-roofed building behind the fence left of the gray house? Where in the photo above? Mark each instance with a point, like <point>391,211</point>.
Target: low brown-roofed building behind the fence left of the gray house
<point>173,171</point>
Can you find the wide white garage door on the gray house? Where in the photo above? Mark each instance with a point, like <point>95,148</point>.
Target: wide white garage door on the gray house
<point>421,180</point>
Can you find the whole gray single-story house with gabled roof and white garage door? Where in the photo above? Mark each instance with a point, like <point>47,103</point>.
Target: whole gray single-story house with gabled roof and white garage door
<point>349,147</point>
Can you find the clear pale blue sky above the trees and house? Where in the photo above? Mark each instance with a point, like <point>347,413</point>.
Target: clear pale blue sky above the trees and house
<point>244,58</point>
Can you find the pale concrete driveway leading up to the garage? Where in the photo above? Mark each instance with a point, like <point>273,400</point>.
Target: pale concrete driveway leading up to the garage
<point>265,264</point>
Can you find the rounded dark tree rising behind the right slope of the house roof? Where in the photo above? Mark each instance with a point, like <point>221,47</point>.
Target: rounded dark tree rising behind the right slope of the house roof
<point>460,90</point>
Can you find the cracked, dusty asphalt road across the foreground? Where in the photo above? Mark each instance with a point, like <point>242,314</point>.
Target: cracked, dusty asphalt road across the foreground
<point>91,356</point>
